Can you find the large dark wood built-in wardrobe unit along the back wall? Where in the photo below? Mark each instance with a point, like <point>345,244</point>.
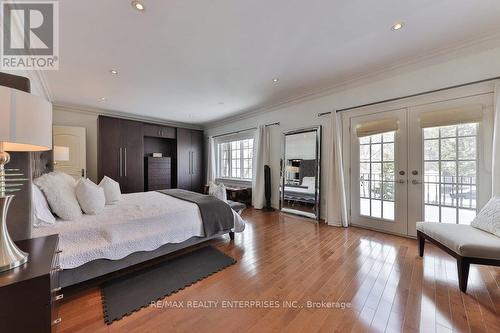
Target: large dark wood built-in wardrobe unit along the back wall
<point>125,146</point>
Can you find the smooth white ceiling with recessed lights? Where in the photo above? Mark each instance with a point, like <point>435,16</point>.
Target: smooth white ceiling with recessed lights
<point>180,59</point>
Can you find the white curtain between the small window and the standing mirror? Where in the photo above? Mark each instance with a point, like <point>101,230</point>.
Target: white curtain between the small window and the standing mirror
<point>260,158</point>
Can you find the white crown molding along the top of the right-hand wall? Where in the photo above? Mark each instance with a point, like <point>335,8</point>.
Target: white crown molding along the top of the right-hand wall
<point>419,61</point>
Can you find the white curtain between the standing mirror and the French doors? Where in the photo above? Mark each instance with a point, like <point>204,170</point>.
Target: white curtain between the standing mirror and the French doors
<point>336,207</point>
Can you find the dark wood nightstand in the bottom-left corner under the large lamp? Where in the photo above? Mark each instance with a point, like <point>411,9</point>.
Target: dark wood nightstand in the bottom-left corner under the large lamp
<point>29,294</point>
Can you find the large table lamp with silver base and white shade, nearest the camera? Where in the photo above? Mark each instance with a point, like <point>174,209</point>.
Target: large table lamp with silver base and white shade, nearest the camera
<point>25,126</point>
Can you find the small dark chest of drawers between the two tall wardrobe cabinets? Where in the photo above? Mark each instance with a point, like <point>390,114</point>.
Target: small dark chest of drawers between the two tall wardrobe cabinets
<point>158,174</point>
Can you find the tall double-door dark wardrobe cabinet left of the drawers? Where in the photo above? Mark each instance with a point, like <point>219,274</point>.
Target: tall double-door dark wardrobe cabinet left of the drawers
<point>121,152</point>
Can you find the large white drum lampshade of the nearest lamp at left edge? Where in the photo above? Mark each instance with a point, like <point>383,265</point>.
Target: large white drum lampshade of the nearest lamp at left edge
<point>25,121</point>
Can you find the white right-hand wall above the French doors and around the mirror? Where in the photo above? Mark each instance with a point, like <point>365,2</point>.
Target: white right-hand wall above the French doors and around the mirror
<point>479,65</point>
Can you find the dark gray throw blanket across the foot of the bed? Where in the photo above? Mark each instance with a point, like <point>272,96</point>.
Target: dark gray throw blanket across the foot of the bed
<point>216,215</point>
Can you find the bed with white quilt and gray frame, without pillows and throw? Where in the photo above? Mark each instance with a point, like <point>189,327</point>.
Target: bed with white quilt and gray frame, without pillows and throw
<point>139,228</point>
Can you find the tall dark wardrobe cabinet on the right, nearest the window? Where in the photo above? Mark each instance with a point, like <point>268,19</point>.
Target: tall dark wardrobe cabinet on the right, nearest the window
<point>190,159</point>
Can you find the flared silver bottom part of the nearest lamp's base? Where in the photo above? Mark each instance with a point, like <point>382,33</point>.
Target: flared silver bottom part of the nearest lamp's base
<point>10,255</point>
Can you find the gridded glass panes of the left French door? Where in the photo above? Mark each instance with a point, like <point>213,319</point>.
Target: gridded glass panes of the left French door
<point>376,173</point>
